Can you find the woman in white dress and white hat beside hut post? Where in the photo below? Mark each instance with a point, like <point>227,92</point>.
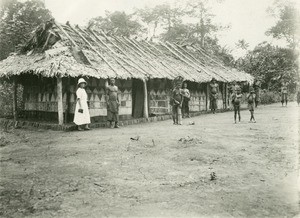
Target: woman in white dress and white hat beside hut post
<point>82,114</point>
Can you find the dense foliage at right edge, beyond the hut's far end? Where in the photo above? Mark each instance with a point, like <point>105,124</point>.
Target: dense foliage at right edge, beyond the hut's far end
<point>272,64</point>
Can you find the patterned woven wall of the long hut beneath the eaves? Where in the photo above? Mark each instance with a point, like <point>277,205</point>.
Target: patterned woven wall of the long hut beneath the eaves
<point>40,97</point>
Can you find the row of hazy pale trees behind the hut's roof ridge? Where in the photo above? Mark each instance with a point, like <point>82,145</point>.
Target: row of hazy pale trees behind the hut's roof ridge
<point>169,23</point>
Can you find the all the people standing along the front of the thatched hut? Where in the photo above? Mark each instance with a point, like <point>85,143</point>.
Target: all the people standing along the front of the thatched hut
<point>179,100</point>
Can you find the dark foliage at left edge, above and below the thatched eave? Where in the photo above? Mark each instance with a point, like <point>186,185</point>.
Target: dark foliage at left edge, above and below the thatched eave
<point>17,21</point>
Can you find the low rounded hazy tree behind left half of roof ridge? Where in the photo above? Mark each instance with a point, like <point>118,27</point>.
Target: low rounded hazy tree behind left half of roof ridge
<point>117,23</point>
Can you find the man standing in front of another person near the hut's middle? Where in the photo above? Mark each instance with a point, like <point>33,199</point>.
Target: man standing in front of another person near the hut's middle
<point>176,101</point>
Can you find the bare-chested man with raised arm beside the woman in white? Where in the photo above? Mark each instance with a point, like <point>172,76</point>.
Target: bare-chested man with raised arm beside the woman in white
<point>112,102</point>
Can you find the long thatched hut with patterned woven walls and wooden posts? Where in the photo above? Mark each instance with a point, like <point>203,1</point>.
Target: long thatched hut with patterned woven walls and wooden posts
<point>50,63</point>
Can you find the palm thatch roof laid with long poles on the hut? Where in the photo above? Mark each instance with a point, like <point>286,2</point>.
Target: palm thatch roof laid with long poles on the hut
<point>67,50</point>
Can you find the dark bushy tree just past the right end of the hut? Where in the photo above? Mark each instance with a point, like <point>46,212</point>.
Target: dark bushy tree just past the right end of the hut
<point>271,64</point>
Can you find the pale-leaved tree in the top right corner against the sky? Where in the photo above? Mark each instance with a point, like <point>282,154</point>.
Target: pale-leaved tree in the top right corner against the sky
<point>288,24</point>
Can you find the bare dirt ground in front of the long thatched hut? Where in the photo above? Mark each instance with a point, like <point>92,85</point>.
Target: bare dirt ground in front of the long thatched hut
<point>211,169</point>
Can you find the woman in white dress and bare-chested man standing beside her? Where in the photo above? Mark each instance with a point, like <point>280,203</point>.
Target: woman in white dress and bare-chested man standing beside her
<point>82,115</point>
